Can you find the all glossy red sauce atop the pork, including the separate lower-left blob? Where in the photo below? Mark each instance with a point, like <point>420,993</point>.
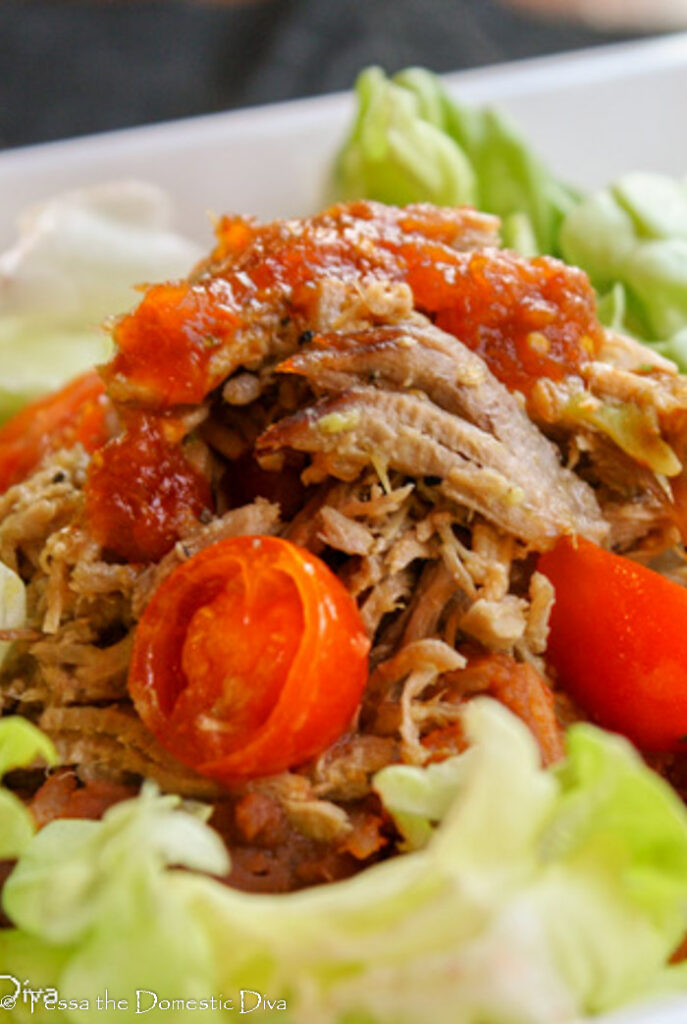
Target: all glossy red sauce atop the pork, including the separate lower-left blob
<point>263,288</point>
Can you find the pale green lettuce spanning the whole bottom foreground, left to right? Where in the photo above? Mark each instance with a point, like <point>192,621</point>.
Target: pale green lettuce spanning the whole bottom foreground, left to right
<point>532,897</point>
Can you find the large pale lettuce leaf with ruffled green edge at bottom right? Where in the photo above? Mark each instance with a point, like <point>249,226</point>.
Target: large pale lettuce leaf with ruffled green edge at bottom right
<point>547,894</point>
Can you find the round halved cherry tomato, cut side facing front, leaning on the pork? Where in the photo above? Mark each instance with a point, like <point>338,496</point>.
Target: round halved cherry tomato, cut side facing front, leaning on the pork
<point>250,659</point>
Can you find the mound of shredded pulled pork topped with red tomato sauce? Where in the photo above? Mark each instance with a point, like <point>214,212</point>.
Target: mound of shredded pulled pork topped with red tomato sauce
<point>389,390</point>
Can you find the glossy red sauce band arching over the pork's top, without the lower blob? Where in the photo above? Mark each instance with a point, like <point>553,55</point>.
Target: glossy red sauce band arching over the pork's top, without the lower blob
<point>527,318</point>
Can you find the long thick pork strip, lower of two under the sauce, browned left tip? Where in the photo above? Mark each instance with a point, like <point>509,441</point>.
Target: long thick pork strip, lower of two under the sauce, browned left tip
<point>411,435</point>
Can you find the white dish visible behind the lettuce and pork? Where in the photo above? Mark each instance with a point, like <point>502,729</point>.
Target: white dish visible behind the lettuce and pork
<point>592,115</point>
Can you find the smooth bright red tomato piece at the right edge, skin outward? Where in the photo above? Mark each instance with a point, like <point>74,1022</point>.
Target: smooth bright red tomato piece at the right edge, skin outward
<point>619,643</point>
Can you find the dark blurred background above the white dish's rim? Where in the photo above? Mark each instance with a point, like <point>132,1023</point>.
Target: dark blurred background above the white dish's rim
<point>73,67</point>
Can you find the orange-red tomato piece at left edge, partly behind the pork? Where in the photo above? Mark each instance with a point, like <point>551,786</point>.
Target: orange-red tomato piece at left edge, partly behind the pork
<point>76,414</point>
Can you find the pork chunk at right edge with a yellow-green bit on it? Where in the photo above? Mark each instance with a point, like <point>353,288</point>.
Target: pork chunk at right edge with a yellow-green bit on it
<point>626,420</point>
